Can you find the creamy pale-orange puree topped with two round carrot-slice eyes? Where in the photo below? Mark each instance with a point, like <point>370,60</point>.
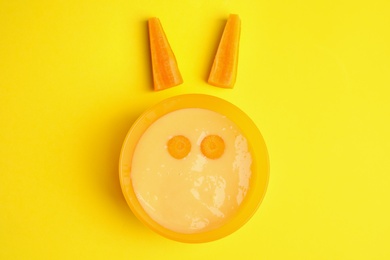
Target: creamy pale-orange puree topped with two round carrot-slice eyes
<point>191,170</point>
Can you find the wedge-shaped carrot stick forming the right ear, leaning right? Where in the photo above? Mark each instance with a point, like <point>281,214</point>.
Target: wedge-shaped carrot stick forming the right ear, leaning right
<point>224,70</point>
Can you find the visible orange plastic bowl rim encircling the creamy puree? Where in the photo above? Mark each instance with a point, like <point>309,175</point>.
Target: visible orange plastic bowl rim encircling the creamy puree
<point>260,164</point>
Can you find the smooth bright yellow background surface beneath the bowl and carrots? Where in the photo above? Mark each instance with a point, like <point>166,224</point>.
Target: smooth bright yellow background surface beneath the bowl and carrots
<point>313,75</point>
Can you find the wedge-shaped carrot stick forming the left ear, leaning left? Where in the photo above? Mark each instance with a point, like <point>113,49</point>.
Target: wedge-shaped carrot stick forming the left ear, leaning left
<point>166,72</point>
